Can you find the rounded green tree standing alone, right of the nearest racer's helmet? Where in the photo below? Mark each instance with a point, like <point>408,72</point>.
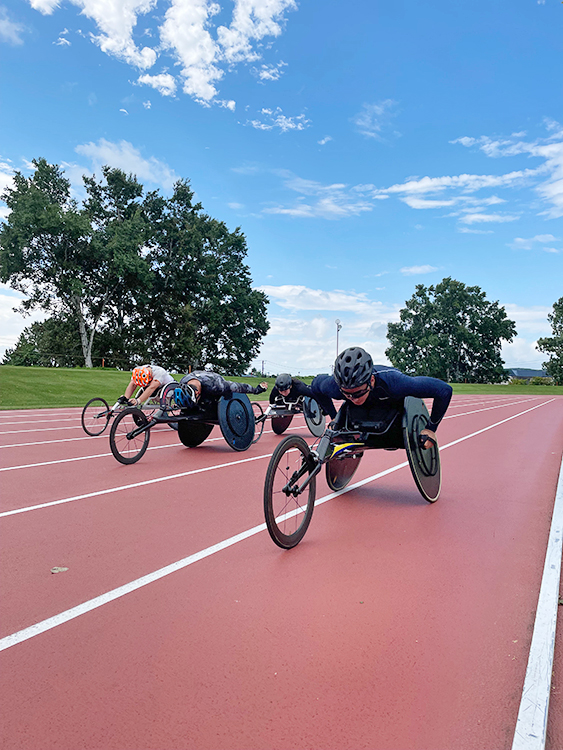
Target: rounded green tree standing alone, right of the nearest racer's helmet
<point>451,331</point>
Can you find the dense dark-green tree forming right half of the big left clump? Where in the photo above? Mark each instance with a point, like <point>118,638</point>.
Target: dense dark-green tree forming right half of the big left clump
<point>208,312</point>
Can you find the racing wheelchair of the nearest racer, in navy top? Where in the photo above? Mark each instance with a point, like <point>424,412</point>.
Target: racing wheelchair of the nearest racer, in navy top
<point>290,486</point>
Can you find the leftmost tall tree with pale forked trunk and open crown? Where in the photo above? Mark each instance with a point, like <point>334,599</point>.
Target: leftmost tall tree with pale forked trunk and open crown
<point>74,262</point>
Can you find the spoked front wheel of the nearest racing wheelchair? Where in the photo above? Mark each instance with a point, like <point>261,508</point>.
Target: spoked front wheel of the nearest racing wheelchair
<point>287,512</point>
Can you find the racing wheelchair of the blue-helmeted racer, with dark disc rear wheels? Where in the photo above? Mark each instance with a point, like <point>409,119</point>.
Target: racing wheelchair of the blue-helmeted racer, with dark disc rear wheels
<point>236,416</point>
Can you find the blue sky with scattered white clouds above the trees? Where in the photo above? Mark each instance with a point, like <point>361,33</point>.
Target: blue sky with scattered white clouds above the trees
<point>363,148</point>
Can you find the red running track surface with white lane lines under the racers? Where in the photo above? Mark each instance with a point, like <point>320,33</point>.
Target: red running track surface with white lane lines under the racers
<point>394,625</point>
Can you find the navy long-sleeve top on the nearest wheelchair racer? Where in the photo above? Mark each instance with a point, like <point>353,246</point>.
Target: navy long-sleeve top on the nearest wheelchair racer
<point>392,385</point>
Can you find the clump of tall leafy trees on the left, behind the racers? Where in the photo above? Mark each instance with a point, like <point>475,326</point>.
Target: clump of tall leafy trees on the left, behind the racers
<point>127,276</point>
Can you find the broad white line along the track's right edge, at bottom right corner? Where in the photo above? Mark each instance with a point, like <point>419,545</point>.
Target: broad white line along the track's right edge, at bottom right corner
<point>531,725</point>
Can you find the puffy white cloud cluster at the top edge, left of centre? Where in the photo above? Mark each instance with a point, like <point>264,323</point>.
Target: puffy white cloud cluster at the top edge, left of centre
<point>201,52</point>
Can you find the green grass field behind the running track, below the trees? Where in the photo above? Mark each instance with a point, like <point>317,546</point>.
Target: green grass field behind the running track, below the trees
<point>44,387</point>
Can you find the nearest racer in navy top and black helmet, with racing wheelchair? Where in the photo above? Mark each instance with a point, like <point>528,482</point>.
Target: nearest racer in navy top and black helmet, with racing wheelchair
<point>382,408</point>
